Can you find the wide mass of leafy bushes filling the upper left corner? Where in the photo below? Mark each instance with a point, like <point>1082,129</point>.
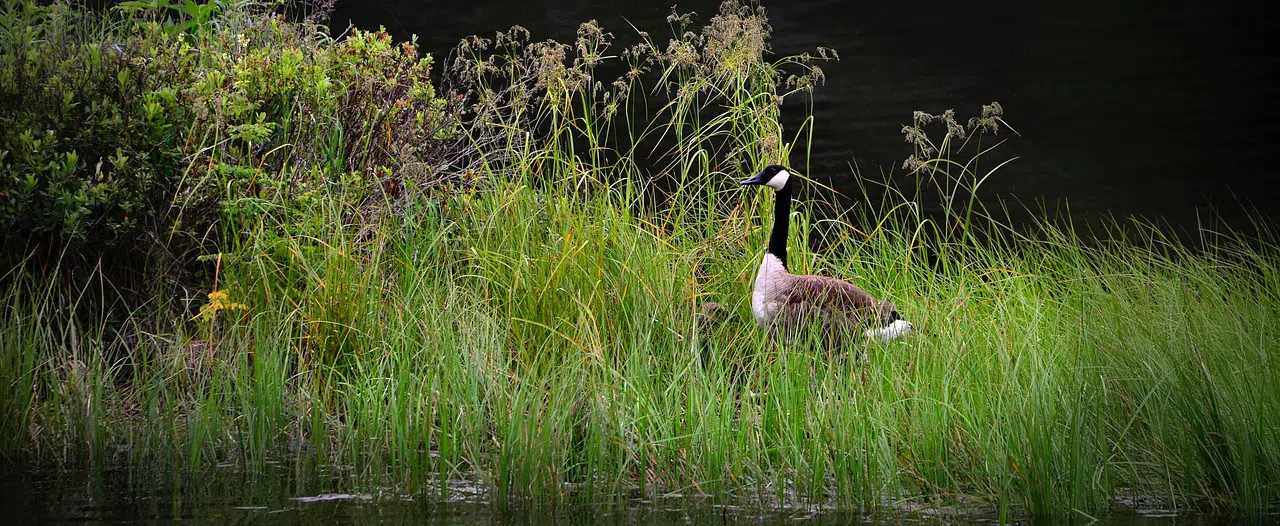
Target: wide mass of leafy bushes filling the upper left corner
<point>158,122</point>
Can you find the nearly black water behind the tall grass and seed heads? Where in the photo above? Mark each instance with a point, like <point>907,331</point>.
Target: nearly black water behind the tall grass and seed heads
<point>1141,108</point>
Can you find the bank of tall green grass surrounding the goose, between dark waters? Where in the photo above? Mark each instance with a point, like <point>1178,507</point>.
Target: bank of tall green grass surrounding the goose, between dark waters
<point>524,315</point>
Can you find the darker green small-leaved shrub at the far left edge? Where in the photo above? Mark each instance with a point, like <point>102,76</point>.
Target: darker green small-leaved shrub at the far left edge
<point>79,154</point>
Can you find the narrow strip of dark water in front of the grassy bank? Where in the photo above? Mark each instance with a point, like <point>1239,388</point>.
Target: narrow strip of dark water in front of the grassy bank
<point>276,495</point>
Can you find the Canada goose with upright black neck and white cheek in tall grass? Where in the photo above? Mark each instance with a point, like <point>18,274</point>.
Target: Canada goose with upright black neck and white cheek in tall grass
<point>787,305</point>
